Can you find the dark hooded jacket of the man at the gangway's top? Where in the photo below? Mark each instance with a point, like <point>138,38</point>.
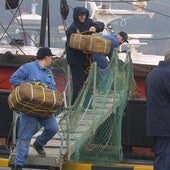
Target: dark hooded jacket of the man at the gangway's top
<point>76,57</point>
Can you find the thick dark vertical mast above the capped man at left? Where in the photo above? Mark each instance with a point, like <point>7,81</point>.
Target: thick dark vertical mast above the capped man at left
<point>43,22</point>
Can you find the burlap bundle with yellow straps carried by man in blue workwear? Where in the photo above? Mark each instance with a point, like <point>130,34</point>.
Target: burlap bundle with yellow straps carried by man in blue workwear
<point>35,100</point>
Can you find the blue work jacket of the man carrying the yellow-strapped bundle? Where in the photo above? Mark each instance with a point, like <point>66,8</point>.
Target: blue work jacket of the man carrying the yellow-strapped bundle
<point>33,72</point>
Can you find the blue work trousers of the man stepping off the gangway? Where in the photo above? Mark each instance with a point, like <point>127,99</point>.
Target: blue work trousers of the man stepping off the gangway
<point>28,126</point>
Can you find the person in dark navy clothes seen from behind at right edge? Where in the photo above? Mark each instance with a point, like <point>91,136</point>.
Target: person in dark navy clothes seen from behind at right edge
<point>158,112</point>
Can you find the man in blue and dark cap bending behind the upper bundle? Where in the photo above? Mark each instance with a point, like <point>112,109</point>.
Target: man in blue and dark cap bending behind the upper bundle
<point>116,41</point>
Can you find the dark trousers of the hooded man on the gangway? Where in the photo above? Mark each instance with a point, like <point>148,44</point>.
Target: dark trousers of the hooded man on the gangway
<point>79,76</point>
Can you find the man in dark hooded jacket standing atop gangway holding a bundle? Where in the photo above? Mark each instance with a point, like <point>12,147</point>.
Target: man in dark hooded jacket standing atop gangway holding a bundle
<point>78,60</point>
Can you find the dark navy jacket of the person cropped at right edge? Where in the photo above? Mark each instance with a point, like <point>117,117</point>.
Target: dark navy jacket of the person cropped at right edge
<point>158,100</point>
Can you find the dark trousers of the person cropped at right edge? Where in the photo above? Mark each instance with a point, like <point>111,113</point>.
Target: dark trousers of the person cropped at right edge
<point>162,153</point>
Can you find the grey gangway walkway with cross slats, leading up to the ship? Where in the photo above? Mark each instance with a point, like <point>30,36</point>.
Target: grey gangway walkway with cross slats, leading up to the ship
<point>56,149</point>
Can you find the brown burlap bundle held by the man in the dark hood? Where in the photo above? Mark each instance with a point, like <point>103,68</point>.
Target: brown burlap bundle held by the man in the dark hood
<point>90,43</point>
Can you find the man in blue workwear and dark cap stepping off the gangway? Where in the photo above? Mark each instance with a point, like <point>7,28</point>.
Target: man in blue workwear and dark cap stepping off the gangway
<point>34,72</point>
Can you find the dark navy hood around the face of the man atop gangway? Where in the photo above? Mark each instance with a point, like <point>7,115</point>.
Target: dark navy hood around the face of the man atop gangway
<point>79,10</point>
